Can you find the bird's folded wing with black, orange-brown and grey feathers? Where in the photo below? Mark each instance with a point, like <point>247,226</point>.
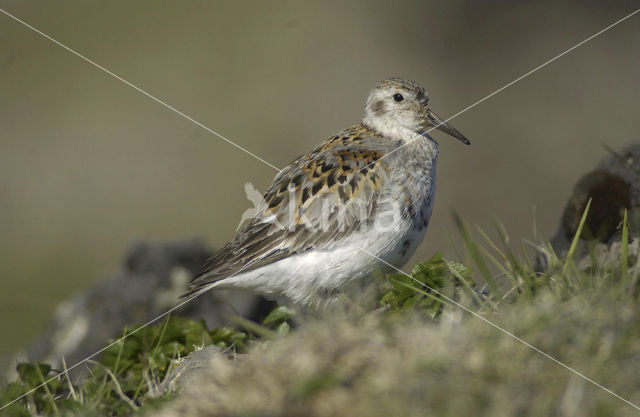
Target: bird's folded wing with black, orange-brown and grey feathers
<point>320,197</point>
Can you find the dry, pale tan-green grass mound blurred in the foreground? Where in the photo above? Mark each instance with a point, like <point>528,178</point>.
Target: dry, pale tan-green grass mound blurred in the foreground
<point>366,366</point>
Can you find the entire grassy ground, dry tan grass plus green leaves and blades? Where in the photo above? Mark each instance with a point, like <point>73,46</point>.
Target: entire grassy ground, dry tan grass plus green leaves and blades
<point>417,353</point>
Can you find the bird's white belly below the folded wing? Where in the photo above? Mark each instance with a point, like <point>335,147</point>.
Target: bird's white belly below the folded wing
<point>317,273</point>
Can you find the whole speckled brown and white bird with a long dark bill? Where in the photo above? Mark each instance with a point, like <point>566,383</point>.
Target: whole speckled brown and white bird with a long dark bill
<point>343,212</point>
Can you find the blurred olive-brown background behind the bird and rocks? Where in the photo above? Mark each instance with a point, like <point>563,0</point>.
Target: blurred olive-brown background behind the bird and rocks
<point>88,165</point>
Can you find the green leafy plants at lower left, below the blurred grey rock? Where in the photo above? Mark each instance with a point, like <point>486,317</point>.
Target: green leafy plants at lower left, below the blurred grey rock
<point>122,375</point>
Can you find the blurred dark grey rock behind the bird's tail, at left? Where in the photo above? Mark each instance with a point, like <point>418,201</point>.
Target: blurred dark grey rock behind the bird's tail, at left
<point>152,277</point>
